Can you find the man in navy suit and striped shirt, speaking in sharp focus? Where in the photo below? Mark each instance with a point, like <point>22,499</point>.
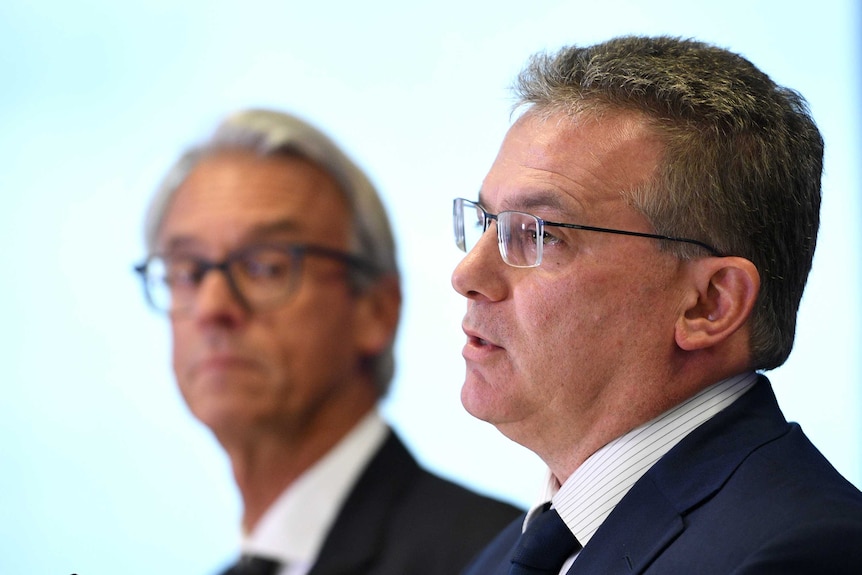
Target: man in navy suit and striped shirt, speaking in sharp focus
<point>636,256</point>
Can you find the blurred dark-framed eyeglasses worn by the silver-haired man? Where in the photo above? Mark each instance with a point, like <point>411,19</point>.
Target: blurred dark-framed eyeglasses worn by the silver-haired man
<point>258,276</point>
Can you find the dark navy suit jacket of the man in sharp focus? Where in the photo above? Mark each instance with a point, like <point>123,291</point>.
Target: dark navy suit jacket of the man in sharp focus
<point>744,493</point>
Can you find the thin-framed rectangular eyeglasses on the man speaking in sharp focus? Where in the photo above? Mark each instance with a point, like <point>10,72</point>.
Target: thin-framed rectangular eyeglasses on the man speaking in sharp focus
<point>518,233</point>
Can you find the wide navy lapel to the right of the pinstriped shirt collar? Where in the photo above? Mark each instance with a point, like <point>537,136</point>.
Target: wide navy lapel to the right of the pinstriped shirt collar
<point>650,516</point>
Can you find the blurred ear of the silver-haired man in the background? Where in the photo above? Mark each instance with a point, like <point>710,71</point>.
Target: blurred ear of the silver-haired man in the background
<point>378,309</point>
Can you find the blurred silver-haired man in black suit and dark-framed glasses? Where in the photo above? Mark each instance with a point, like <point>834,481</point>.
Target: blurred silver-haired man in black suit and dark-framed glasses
<point>273,256</point>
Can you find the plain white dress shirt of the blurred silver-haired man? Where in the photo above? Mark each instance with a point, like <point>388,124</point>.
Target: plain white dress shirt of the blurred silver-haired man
<point>293,529</point>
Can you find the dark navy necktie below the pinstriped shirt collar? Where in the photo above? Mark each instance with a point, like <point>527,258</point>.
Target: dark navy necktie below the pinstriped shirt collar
<point>544,546</point>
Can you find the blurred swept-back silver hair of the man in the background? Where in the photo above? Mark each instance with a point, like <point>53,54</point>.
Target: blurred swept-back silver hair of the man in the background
<point>270,133</point>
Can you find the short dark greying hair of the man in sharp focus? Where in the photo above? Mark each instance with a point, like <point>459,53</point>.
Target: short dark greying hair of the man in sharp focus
<point>742,164</point>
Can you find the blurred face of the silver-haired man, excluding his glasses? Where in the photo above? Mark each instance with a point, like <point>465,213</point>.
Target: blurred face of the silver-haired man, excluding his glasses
<point>284,367</point>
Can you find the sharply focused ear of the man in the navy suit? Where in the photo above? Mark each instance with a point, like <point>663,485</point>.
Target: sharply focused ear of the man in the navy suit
<point>722,294</point>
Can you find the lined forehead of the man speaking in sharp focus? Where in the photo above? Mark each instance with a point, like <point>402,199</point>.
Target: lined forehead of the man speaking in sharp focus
<point>571,162</point>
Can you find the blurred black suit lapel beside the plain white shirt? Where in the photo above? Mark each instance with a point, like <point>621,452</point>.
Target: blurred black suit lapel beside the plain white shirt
<point>358,532</point>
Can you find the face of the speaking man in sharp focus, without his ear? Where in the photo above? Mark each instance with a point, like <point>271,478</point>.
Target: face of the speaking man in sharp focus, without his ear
<point>568,352</point>
